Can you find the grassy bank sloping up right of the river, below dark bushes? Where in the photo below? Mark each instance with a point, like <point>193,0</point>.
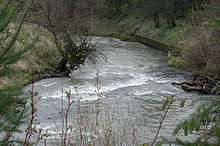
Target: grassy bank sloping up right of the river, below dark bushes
<point>189,43</point>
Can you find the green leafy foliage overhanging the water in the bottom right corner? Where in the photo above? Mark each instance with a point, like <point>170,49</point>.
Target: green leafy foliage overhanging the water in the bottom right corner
<point>204,124</point>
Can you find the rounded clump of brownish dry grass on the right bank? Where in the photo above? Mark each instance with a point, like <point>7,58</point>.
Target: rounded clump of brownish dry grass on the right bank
<point>201,53</point>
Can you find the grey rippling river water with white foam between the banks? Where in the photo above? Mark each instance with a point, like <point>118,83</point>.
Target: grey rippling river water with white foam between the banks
<point>132,85</point>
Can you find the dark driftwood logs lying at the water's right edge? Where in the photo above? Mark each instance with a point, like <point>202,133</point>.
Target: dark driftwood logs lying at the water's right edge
<point>200,83</point>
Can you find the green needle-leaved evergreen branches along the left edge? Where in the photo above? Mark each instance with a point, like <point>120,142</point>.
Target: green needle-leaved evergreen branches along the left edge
<point>12,104</point>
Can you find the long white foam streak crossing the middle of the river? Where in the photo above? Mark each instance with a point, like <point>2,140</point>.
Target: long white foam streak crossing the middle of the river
<point>92,89</point>
